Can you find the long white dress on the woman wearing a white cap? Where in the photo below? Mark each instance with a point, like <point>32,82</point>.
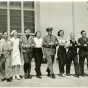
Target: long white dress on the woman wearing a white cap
<point>16,58</point>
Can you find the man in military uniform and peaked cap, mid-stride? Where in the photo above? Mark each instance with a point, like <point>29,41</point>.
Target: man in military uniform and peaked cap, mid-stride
<point>49,43</point>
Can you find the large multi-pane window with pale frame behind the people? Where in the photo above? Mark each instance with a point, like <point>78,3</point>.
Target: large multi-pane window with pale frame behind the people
<point>17,14</point>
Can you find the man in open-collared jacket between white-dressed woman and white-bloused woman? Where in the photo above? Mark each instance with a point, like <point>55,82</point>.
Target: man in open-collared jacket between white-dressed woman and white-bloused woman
<point>27,45</point>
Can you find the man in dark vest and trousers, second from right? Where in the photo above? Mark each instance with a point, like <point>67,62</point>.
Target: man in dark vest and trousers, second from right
<point>72,56</point>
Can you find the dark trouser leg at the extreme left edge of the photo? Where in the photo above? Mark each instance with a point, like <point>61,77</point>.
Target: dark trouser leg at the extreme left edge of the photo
<point>2,65</point>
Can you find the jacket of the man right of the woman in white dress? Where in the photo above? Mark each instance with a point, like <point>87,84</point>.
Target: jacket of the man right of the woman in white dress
<point>25,41</point>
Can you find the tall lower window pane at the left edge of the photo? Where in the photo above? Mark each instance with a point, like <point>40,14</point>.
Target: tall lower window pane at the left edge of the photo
<point>3,20</point>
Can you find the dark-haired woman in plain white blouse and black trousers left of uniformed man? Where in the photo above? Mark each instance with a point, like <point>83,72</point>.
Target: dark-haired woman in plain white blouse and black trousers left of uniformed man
<point>38,54</point>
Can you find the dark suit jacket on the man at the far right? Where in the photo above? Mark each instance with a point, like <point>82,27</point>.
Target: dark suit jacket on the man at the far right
<point>82,48</point>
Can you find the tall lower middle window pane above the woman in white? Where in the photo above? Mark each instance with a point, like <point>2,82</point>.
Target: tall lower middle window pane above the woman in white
<point>15,20</point>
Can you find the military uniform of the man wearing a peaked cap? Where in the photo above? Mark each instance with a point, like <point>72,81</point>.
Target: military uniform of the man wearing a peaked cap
<point>50,51</point>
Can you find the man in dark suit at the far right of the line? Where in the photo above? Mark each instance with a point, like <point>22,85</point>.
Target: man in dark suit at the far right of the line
<point>83,51</point>
